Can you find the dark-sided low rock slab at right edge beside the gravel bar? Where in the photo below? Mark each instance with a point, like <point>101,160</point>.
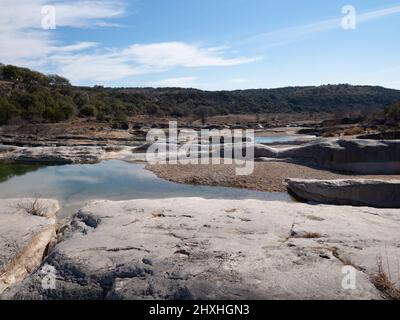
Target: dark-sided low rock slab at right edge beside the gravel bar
<point>357,192</point>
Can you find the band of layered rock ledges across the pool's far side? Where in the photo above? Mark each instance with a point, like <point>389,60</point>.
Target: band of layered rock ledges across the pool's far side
<point>353,156</point>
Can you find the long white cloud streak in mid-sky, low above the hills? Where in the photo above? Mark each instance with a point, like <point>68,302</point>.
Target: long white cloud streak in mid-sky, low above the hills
<point>140,59</point>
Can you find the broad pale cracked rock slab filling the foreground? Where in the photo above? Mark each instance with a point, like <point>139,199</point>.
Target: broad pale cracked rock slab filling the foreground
<point>192,248</point>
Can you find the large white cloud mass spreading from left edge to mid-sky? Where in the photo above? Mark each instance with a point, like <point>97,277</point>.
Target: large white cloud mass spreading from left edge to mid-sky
<point>23,42</point>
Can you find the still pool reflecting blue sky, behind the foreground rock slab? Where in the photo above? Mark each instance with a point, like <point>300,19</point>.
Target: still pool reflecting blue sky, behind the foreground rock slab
<point>73,185</point>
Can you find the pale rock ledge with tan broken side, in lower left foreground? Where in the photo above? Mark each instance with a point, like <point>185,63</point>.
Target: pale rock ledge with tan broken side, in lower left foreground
<point>24,237</point>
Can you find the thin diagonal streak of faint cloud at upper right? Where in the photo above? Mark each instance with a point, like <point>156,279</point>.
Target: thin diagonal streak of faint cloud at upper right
<point>297,33</point>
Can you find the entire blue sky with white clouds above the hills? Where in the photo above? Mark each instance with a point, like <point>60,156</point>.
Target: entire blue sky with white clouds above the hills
<point>212,45</point>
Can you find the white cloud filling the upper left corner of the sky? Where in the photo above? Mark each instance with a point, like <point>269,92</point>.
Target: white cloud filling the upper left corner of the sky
<point>24,42</point>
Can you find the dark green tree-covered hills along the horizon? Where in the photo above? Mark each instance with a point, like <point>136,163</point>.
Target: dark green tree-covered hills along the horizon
<point>32,96</point>
